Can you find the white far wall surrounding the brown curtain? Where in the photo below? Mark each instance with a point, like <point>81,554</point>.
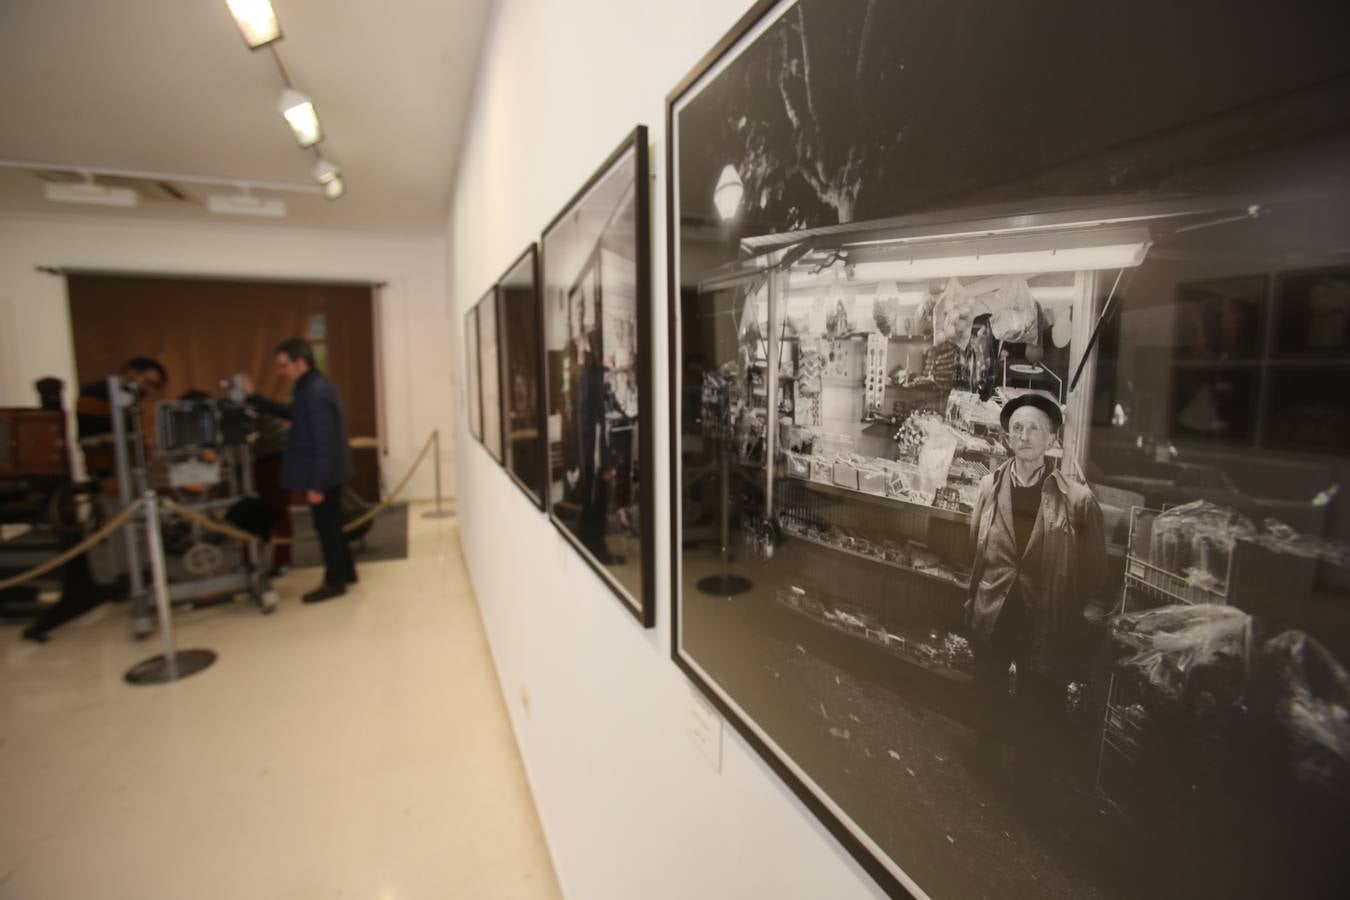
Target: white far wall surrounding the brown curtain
<point>415,334</point>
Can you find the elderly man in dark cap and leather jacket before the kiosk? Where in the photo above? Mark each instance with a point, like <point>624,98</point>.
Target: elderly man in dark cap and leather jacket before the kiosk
<point>1040,561</point>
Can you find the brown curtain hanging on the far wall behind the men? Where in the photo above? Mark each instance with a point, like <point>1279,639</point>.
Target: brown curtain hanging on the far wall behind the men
<point>207,330</point>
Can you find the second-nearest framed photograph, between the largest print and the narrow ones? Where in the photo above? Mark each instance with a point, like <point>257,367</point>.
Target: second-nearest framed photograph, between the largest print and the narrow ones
<point>599,366</point>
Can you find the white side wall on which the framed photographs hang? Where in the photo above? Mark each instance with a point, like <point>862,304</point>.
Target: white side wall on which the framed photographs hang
<point>631,806</point>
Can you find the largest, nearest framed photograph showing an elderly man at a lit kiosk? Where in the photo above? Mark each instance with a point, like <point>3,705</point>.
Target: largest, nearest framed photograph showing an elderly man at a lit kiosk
<point>944,288</point>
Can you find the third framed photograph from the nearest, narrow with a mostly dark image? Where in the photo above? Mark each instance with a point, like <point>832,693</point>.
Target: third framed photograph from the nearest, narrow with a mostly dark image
<point>523,376</point>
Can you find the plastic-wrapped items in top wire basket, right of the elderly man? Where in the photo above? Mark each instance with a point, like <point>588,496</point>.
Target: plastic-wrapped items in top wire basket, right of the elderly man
<point>1195,542</point>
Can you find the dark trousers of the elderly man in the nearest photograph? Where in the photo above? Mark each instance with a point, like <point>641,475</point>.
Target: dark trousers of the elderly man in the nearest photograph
<point>1031,719</point>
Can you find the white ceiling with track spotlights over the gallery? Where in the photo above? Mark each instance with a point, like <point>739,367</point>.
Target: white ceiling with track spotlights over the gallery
<point>169,87</point>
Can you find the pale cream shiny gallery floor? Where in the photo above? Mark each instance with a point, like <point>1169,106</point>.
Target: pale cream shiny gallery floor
<point>352,750</point>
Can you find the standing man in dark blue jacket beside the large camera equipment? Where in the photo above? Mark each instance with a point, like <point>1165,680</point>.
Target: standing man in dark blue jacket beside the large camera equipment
<point>318,461</point>
